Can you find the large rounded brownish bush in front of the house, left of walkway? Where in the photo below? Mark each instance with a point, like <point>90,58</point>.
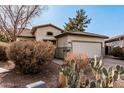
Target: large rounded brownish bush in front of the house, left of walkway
<point>29,56</point>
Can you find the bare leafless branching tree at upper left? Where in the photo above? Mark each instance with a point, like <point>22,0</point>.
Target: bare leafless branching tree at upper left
<point>15,18</point>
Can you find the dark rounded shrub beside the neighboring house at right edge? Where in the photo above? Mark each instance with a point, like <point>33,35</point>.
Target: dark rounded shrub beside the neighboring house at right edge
<point>118,52</point>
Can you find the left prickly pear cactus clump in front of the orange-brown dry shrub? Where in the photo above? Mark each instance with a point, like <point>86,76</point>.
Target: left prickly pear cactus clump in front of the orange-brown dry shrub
<point>73,75</point>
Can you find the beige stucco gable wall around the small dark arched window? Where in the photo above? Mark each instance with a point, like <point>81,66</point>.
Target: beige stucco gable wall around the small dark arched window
<point>41,33</point>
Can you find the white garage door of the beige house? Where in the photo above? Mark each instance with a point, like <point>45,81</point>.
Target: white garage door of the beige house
<point>89,48</point>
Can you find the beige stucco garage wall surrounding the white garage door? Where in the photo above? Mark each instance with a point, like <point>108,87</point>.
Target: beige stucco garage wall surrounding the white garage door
<point>66,41</point>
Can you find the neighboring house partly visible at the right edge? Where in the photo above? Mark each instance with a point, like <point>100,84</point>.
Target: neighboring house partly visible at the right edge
<point>114,42</point>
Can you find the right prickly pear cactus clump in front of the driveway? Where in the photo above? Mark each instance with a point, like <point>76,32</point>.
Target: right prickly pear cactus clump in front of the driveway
<point>105,78</point>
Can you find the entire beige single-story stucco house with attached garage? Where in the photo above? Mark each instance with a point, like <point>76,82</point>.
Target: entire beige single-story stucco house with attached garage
<point>77,42</point>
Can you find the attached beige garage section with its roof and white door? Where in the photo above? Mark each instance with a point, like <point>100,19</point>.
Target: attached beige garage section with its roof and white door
<point>81,43</point>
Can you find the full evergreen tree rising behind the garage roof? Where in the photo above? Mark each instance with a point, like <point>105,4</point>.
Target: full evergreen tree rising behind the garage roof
<point>78,23</point>
